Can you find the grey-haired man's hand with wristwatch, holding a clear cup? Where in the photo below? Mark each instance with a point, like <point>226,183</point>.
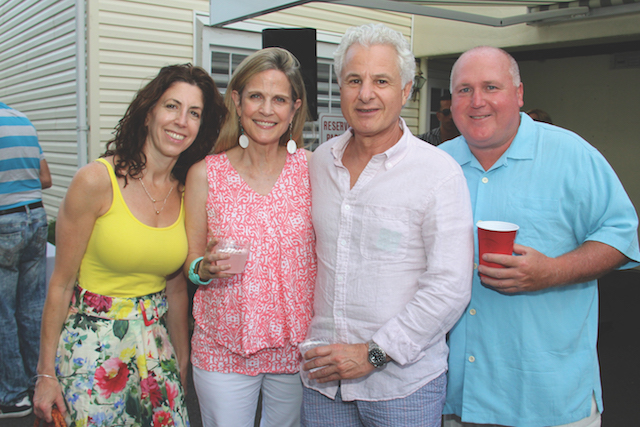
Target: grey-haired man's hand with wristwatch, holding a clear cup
<point>338,362</point>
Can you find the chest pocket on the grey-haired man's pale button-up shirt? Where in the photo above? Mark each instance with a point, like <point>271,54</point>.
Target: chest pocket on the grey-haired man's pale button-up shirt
<point>385,231</point>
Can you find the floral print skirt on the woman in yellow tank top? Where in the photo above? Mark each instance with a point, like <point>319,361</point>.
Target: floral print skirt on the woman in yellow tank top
<point>116,365</point>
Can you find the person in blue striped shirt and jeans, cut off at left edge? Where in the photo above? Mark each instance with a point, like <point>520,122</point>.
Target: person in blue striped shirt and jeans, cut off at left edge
<point>23,236</point>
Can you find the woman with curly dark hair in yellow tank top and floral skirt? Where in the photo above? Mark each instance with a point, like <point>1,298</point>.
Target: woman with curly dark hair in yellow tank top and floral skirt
<point>117,292</point>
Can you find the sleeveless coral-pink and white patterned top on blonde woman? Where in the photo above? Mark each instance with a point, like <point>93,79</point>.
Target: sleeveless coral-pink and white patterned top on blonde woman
<point>253,322</point>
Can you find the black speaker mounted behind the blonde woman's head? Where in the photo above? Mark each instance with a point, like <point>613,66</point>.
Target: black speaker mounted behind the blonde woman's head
<point>301,42</point>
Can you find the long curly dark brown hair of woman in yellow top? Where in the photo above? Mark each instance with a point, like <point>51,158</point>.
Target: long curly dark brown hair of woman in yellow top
<point>131,132</point>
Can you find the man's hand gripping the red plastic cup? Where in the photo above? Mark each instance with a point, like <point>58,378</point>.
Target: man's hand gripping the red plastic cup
<point>529,271</point>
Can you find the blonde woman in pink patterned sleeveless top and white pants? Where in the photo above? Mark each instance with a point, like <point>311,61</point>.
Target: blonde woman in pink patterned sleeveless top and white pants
<point>248,325</point>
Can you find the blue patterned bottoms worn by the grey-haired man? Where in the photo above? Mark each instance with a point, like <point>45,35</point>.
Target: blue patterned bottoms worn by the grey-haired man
<point>423,408</point>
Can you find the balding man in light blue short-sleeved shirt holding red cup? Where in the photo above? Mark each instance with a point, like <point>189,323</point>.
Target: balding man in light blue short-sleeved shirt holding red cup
<point>524,353</point>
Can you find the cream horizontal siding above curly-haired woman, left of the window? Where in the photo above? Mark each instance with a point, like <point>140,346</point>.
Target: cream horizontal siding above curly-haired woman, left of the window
<point>132,40</point>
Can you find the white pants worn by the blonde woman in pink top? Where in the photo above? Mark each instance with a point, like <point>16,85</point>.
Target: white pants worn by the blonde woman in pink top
<point>230,400</point>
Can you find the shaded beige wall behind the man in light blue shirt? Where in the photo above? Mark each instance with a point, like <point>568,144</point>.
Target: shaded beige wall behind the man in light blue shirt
<point>599,103</point>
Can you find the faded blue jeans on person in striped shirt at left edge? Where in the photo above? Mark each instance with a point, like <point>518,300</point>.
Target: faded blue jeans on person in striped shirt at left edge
<point>23,288</point>
